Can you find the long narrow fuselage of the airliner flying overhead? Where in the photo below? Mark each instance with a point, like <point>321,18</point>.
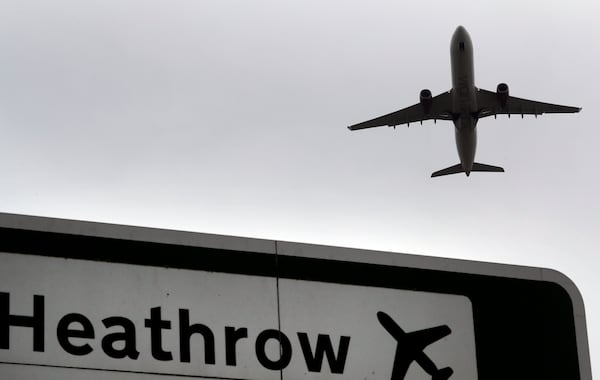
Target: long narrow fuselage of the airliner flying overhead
<point>464,97</point>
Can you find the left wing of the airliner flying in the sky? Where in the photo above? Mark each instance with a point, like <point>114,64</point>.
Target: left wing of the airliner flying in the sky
<point>439,108</point>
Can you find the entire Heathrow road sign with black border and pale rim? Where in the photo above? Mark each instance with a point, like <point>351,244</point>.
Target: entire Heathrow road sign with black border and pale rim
<point>91,300</point>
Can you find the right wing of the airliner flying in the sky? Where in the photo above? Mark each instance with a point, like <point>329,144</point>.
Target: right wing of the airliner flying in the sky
<point>490,104</point>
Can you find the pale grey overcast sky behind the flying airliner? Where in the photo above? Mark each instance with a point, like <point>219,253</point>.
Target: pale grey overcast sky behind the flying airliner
<point>229,117</point>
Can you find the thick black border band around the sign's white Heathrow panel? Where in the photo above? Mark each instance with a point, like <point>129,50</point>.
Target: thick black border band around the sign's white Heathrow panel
<point>524,329</point>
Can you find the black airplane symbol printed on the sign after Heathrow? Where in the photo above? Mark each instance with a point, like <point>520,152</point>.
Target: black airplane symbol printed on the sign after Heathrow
<point>410,348</point>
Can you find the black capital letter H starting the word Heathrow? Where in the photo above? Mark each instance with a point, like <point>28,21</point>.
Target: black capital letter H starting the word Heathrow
<point>36,321</point>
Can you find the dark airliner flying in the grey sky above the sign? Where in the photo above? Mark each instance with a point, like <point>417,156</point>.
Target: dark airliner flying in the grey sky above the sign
<point>464,105</point>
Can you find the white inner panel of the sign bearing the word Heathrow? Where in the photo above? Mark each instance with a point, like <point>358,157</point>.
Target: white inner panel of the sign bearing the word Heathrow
<point>138,319</point>
